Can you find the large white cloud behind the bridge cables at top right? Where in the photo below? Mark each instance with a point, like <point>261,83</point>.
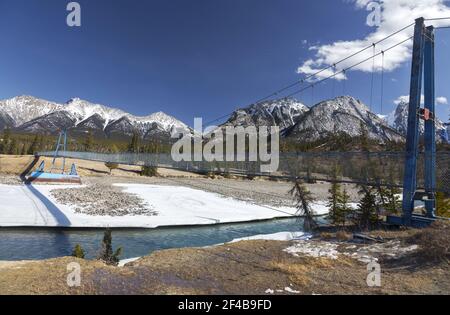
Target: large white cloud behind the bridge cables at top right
<point>396,15</point>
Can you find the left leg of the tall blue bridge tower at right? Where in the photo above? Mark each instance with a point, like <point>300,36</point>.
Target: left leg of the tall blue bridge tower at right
<point>412,138</point>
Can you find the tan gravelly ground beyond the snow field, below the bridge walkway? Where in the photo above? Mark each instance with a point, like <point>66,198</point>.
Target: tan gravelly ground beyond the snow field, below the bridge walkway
<point>260,191</point>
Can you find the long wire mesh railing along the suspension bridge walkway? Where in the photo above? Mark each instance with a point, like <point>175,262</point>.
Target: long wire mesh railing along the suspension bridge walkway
<point>373,168</point>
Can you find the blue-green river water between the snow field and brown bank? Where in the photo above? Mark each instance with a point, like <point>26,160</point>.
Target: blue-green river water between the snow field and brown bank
<point>43,243</point>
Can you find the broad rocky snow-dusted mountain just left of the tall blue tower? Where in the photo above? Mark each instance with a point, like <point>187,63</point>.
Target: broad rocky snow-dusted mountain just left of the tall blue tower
<point>343,114</point>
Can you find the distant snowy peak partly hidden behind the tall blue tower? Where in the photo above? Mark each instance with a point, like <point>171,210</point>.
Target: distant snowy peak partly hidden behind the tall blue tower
<point>398,120</point>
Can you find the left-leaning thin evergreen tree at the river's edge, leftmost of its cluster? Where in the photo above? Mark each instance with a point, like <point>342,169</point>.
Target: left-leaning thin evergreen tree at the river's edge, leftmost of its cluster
<point>303,198</point>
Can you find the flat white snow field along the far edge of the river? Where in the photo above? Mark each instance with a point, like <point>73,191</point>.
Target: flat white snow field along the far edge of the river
<point>30,205</point>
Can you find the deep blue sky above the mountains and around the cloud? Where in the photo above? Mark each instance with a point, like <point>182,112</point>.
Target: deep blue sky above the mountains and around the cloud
<point>188,58</point>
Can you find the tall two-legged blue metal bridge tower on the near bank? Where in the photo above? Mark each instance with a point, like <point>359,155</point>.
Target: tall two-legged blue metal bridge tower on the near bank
<point>422,68</point>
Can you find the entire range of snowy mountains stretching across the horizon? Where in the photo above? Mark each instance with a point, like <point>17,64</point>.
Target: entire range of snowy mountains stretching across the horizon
<point>344,114</point>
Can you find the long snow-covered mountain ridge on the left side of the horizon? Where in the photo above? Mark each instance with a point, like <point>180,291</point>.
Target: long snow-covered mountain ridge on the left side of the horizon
<point>30,114</point>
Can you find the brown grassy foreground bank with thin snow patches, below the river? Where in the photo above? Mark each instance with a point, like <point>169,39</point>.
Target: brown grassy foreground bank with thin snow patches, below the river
<point>248,267</point>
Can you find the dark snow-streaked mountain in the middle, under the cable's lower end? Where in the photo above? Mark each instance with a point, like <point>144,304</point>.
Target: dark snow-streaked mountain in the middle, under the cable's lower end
<point>283,113</point>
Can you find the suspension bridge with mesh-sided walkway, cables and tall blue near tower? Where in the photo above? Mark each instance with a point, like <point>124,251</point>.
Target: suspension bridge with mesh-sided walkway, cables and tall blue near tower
<point>419,174</point>
